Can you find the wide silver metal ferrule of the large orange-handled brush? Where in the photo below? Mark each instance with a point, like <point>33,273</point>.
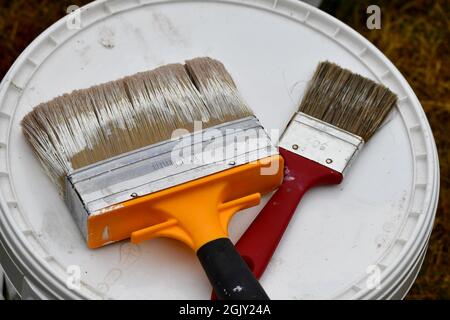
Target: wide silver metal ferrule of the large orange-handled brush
<point>94,189</point>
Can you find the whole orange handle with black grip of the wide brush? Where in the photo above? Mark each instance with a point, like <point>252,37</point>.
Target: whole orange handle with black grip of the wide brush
<point>197,213</point>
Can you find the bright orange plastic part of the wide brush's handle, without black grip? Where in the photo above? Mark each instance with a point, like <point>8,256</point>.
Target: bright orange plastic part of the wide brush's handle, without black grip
<point>195,212</point>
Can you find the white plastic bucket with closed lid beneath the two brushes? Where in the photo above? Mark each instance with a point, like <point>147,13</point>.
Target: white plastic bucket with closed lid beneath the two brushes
<point>364,239</point>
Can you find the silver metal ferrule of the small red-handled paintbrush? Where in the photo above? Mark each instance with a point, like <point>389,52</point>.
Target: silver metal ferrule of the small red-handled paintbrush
<point>321,142</point>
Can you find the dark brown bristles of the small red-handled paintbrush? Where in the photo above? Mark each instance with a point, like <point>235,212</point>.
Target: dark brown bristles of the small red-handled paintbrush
<point>347,100</point>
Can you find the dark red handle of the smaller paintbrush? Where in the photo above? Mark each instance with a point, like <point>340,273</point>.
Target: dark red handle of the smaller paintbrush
<point>260,240</point>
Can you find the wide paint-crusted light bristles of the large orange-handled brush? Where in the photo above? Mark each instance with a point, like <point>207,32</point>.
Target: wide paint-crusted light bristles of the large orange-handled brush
<point>90,125</point>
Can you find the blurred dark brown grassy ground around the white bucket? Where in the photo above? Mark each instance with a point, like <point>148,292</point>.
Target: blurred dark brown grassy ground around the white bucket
<point>414,35</point>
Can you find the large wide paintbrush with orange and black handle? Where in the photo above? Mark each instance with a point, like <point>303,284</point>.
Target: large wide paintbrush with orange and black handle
<point>110,150</point>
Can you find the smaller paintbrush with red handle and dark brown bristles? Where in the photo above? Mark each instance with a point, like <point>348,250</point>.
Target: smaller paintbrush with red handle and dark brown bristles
<point>338,114</point>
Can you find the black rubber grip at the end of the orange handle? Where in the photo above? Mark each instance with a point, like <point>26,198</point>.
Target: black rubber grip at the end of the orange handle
<point>228,273</point>
